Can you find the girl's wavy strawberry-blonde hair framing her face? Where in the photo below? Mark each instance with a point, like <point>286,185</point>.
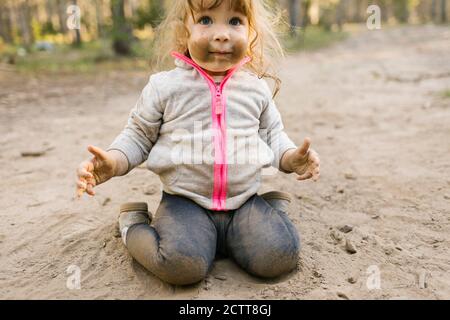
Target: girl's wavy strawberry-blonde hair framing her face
<point>264,45</point>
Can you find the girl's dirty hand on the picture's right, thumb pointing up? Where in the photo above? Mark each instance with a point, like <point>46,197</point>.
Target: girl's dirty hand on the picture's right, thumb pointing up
<point>305,162</point>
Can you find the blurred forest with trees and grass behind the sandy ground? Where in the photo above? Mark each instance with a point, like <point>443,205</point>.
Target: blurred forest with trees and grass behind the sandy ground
<point>53,35</point>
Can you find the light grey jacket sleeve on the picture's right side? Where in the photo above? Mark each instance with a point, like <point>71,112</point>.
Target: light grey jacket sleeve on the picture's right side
<point>271,130</point>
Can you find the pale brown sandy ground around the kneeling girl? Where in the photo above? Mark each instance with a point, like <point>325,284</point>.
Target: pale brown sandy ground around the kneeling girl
<point>374,110</point>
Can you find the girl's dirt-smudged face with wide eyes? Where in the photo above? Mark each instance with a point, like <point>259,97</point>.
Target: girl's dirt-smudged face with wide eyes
<point>218,38</point>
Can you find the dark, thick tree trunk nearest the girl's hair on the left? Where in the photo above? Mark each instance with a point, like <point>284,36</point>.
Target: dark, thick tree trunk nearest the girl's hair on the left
<point>121,31</point>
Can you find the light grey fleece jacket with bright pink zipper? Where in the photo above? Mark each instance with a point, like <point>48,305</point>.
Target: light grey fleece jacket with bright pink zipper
<point>206,141</point>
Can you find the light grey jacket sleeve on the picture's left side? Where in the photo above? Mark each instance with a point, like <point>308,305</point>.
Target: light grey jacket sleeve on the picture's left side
<point>142,129</point>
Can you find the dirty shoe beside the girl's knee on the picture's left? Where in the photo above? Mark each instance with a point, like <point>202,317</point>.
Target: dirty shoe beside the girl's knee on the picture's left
<point>132,213</point>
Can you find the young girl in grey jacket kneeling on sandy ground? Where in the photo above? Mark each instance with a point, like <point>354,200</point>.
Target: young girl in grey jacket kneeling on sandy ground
<point>208,127</point>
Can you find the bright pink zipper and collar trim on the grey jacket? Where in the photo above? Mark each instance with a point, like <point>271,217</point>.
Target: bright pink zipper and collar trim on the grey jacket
<point>219,129</point>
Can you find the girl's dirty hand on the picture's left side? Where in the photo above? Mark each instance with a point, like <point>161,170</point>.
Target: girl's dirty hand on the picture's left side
<point>95,171</point>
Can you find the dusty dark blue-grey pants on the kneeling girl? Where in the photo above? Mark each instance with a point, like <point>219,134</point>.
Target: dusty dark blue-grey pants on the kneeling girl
<point>184,238</point>
